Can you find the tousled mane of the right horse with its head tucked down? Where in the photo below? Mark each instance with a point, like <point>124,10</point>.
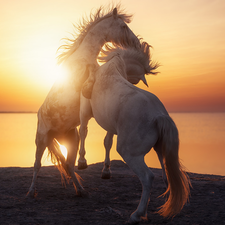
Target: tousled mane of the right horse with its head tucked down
<point>142,55</point>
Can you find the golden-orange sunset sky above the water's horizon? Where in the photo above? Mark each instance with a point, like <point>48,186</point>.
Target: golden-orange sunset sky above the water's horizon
<point>188,39</point>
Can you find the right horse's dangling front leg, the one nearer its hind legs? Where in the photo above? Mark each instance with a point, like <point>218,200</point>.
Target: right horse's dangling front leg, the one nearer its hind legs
<point>106,173</point>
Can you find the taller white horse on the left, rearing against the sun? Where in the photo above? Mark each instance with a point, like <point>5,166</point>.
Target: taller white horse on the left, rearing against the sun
<point>58,117</point>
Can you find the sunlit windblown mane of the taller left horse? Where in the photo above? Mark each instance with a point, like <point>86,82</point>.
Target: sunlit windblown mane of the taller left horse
<point>83,27</point>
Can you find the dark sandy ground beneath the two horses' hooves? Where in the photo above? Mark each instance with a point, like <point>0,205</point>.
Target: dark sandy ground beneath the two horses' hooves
<point>109,202</point>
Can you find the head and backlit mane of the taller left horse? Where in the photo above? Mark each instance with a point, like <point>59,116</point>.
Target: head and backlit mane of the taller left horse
<point>106,25</point>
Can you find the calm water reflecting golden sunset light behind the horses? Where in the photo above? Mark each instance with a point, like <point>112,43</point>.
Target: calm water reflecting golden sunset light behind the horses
<point>202,142</point>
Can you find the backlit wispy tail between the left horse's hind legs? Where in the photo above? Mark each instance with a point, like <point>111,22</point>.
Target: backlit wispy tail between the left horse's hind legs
<point>58,159</point>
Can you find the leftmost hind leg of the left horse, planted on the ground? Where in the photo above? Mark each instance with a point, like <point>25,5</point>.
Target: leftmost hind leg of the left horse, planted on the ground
<point>41,144</point>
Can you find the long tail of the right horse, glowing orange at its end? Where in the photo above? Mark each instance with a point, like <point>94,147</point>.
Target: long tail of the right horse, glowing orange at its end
<point>178,181</point>
